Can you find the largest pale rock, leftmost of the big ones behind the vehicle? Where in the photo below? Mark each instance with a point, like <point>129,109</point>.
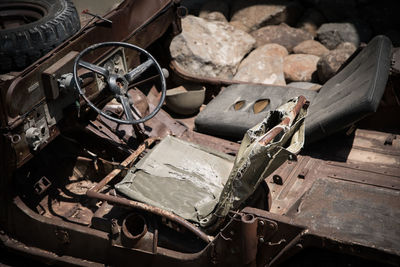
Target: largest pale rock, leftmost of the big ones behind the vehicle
<point>210,49</point>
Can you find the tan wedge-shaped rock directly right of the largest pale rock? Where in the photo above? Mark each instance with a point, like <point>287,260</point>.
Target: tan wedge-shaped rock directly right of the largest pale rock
<point>263,65</point>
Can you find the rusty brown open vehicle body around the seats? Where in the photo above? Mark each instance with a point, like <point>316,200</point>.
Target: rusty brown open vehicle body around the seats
<point>335,203</point>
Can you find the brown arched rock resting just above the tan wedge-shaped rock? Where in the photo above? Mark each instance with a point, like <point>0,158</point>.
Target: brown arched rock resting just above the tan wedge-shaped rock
<point>281,34</point>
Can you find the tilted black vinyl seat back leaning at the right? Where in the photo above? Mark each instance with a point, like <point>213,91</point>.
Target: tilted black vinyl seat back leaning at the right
<point>351,94</point>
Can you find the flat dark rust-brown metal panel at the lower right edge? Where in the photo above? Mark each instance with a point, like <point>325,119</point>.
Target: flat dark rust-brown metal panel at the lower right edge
<point>352,213</point>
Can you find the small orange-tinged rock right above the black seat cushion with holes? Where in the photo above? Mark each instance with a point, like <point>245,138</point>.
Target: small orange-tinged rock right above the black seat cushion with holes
<point>300,67</point>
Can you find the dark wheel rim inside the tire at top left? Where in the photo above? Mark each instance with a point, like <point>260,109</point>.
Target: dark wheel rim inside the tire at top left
<point>13,15</point>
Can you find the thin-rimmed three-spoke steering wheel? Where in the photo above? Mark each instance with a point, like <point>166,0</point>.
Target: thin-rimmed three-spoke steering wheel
<point>118,83</point>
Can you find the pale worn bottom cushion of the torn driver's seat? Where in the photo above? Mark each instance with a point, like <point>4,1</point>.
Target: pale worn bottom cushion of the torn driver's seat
<point>178,176</point>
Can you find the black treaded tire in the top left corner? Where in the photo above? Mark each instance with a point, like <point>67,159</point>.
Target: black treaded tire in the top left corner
<point>39,26</point>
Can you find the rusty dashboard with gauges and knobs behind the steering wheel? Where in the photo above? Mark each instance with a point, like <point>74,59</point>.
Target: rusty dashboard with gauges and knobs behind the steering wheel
<point>56,88</point>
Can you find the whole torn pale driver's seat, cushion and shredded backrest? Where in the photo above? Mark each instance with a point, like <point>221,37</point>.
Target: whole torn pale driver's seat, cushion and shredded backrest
<point>200,184</point>
